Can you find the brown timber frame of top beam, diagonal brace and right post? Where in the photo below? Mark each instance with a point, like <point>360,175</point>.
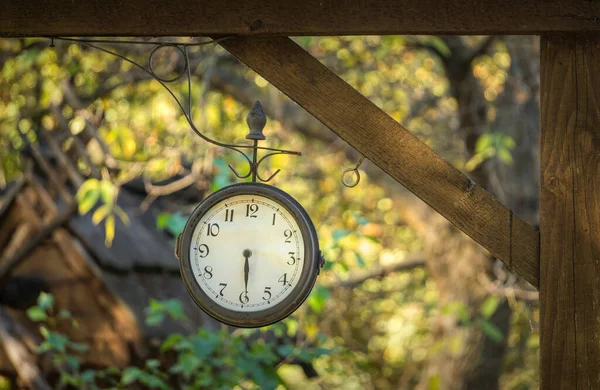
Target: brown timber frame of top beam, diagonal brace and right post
<point>563,260</point>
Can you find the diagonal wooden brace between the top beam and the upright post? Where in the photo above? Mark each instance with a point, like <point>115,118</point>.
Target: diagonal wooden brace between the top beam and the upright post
<point>394,149</point>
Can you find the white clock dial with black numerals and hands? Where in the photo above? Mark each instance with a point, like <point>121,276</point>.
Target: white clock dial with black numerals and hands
<point>247,253</point>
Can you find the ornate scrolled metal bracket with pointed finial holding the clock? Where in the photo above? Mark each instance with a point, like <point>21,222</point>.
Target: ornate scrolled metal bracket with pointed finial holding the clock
<point>256,117</point>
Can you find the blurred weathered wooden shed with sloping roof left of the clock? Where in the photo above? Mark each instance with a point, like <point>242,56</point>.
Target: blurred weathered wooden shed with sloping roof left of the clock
<point>46,244</point>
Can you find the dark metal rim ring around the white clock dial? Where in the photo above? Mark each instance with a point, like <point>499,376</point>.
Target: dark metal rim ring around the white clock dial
<point>307,277</point>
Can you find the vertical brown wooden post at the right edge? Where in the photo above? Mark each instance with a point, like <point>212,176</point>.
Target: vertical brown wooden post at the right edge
<point>570,212</point>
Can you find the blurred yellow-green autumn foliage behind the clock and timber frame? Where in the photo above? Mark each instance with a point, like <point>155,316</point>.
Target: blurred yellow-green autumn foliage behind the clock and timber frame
<point>405,300</point>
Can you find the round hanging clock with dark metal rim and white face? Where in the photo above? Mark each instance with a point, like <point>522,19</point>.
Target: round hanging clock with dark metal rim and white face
<point>249,255</point>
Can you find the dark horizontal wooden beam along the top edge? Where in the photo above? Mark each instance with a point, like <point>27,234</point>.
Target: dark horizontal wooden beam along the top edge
<point>293,17</point>
